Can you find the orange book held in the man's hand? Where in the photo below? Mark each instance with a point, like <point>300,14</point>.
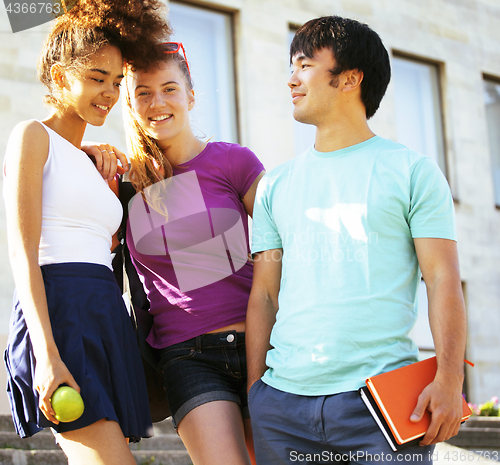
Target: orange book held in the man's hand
<point>391,398</point>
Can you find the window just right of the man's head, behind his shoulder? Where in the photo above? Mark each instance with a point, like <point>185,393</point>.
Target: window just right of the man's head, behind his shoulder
<point>417,97</point>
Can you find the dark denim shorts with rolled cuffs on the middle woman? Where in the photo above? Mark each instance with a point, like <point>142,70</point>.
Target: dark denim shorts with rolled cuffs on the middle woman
<point>204,369</point>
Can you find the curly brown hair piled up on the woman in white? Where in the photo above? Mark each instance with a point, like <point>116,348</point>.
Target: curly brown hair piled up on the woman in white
<point>133,26</point>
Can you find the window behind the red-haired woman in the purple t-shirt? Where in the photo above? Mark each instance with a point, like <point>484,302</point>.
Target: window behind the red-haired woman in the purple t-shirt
<point>208,40</point>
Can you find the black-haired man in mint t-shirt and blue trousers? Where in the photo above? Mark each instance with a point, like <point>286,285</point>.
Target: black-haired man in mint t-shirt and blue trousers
<point>340,236</point>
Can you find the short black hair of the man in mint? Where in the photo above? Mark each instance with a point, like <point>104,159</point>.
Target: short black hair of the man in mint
<point>354,46</point>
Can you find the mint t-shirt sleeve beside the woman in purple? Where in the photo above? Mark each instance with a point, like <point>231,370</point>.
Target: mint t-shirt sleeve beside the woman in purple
<point>265,235</point>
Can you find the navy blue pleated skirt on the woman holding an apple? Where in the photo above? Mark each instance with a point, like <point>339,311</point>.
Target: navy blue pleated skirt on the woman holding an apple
<point>96,341</point>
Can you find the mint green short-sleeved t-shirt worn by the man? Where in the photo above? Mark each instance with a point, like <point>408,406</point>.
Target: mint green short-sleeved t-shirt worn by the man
<point>346,221</point>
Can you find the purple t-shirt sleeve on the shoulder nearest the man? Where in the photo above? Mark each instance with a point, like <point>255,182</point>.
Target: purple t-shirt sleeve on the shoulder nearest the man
<point>244,167</point>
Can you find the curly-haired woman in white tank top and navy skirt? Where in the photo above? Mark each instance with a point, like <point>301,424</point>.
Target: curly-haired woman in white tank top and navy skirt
<point>69,324</point>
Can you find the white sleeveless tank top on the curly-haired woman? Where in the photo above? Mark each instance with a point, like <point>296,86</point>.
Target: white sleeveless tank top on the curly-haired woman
<point>80,212</point>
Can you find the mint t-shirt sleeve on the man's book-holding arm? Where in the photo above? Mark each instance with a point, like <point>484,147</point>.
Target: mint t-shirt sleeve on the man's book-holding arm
<point>432,212</point>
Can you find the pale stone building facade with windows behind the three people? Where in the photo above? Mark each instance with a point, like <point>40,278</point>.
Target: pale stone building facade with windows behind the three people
<point>443,100</point>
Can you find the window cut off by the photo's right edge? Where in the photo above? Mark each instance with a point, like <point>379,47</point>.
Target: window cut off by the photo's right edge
<point>492,102</point>
